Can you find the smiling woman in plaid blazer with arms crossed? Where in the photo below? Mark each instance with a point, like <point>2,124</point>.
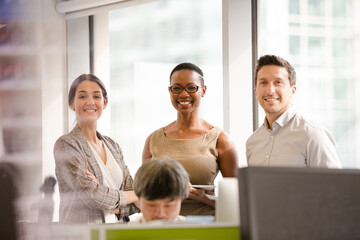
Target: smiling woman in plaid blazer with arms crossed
<point>94,181</point>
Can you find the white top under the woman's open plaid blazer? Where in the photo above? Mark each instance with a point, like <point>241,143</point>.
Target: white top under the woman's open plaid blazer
<point>112,176</point>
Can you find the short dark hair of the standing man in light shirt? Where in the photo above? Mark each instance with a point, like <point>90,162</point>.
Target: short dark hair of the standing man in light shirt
<point>277,61</point>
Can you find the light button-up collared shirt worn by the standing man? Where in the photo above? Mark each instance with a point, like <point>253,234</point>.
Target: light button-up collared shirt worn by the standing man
<point>293,142</point>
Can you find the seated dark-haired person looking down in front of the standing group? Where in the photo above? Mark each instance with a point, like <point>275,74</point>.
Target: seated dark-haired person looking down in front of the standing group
<point>161,185</point>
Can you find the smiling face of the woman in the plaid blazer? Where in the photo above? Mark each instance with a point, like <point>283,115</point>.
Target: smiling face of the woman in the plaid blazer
<point>88,103</point>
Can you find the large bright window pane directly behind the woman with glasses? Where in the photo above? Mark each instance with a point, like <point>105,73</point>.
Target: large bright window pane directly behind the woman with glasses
<point>146,42</point>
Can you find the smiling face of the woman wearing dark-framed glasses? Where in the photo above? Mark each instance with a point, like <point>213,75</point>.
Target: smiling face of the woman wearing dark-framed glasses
<point>184,101</point>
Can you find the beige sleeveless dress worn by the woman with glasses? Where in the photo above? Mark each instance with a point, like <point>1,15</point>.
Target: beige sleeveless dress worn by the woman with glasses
<point>198,157</point>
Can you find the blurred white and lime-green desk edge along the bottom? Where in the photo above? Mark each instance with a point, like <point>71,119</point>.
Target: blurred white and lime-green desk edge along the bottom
<point>173,231</point>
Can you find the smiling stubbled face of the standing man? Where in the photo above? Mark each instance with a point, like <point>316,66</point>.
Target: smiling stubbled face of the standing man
<point>273,90</point>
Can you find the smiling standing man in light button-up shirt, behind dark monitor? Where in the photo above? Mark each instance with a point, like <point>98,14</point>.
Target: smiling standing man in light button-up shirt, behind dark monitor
<point>286,138</point>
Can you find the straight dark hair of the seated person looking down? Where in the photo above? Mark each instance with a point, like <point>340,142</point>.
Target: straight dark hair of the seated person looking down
<point>161,178</point>
